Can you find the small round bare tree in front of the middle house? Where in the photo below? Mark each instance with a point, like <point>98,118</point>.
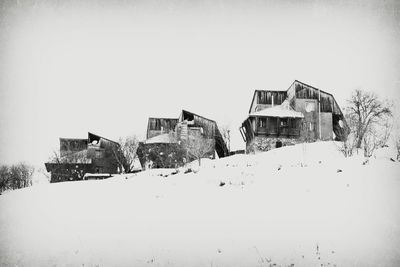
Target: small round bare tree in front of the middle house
<point>198,147</point>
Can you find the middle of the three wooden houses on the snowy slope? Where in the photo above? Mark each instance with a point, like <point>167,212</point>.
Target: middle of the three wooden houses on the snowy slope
<point>167,137</point>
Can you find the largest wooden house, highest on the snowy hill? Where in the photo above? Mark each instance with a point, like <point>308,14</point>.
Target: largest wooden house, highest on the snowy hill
<point>302,113</point>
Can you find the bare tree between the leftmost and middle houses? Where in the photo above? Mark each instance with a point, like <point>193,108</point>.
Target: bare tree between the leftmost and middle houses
<point>125,153</point>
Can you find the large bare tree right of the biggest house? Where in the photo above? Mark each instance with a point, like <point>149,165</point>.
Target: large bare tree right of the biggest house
<point>365,112</point>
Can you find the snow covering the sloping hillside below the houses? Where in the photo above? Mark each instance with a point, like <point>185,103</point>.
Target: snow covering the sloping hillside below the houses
<point>304,205</point>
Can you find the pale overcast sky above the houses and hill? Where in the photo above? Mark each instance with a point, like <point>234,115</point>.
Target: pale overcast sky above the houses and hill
<point>69,67</point>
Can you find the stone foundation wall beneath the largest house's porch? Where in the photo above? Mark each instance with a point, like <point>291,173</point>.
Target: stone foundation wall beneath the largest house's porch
<point>264,143</point>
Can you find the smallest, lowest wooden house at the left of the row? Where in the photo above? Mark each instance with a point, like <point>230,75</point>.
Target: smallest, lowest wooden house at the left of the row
<point>94,154</point>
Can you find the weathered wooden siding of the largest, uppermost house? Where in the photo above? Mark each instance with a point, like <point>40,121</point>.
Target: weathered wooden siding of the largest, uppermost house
<point>299,96</point>
